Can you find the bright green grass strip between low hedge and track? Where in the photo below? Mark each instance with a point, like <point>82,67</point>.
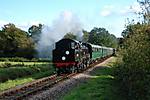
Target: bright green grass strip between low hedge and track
<point>12,83</point>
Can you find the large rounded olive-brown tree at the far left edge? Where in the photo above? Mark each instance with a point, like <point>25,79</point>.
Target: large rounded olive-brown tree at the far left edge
<point>15,42</point>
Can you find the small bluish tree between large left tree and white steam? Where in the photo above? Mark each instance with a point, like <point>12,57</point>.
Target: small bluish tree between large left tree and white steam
<point>35,32</point>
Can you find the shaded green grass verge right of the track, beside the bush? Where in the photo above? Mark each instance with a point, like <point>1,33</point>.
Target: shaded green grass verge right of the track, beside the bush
<point>100,87</point>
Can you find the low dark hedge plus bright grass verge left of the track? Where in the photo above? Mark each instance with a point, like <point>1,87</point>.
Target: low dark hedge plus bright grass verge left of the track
<point>16,75</point>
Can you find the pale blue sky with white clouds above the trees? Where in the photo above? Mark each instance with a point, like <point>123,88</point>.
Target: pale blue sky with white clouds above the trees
<point>109,14</point>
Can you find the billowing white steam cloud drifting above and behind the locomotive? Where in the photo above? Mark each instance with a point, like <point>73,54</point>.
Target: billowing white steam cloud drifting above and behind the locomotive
<point>66,22</point>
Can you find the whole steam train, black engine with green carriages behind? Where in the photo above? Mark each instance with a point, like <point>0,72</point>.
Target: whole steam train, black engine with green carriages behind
<point>73,56</point>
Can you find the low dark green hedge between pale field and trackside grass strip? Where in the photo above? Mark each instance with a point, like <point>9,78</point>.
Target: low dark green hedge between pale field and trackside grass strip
<point>17,72</point>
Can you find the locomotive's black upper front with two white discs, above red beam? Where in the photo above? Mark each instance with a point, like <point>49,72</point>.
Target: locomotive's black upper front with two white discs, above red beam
<point>65,50</point>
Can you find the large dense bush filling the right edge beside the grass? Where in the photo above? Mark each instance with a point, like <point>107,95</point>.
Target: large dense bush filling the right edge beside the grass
<point>133,72</point>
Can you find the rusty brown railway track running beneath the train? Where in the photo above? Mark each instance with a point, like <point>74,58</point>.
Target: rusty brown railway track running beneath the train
<point>32,88</point>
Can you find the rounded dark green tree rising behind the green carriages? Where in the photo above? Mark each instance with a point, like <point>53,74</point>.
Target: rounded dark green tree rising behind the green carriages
<point>101,36</point>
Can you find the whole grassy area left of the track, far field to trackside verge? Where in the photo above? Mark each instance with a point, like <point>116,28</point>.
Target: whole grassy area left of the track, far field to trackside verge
<point>17,71</point>
